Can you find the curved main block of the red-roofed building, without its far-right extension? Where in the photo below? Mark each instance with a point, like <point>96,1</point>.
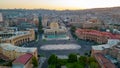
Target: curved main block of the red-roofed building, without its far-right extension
<point>91,35</point>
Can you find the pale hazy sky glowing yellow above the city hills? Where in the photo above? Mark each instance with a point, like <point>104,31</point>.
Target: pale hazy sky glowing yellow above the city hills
<point>58,4</point>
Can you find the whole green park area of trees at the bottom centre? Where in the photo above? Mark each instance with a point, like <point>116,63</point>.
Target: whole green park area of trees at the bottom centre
<point>73,61</point>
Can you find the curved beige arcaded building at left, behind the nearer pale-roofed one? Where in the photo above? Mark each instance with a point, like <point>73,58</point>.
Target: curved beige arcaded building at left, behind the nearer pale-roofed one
<point>17,38</point>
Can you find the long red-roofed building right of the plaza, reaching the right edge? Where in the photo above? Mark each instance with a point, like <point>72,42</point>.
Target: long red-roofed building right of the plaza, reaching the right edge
<point>94,35</point>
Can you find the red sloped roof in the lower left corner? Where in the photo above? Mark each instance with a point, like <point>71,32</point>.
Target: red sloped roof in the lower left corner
<point>23,59</point>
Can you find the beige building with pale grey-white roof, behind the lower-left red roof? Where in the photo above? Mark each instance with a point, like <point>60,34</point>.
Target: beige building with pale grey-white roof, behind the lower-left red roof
<point>13,52</point>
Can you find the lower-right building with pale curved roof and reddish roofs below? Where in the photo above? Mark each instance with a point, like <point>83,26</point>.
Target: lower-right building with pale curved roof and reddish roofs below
<point>105,54</point>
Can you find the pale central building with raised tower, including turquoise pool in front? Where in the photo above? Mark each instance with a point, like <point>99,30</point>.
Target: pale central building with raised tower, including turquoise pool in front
<point>55,31</point>
